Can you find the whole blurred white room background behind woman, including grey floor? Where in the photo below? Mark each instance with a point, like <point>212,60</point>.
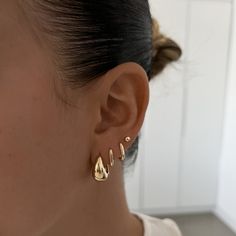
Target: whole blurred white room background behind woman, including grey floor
<point>186,166</point>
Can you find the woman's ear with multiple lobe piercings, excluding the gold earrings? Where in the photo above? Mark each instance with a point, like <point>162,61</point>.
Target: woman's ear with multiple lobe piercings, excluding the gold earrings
<point>122,100</point>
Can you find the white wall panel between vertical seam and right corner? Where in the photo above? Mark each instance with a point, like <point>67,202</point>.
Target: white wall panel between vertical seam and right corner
<point>207,55</point>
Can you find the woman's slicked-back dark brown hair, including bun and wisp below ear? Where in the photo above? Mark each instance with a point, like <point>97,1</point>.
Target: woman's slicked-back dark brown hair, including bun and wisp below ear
<point>90,37</point>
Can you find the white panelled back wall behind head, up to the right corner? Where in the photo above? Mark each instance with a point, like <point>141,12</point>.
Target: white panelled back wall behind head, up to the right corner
<point>177,166</point>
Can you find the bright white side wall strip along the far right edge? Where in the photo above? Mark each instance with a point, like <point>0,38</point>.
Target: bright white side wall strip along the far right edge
<point>226,207</point>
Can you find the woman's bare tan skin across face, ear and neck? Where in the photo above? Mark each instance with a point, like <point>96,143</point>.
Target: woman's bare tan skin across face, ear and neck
<point>47,150</point>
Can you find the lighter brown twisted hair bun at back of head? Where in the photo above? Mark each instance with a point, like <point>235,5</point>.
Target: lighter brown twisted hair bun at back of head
<point>165,50</point>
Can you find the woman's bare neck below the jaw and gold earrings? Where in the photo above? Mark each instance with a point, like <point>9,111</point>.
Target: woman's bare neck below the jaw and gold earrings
<point>100,208</point>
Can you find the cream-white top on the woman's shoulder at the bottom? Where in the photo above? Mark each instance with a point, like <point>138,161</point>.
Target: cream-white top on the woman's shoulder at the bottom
<point>156,227</point>
